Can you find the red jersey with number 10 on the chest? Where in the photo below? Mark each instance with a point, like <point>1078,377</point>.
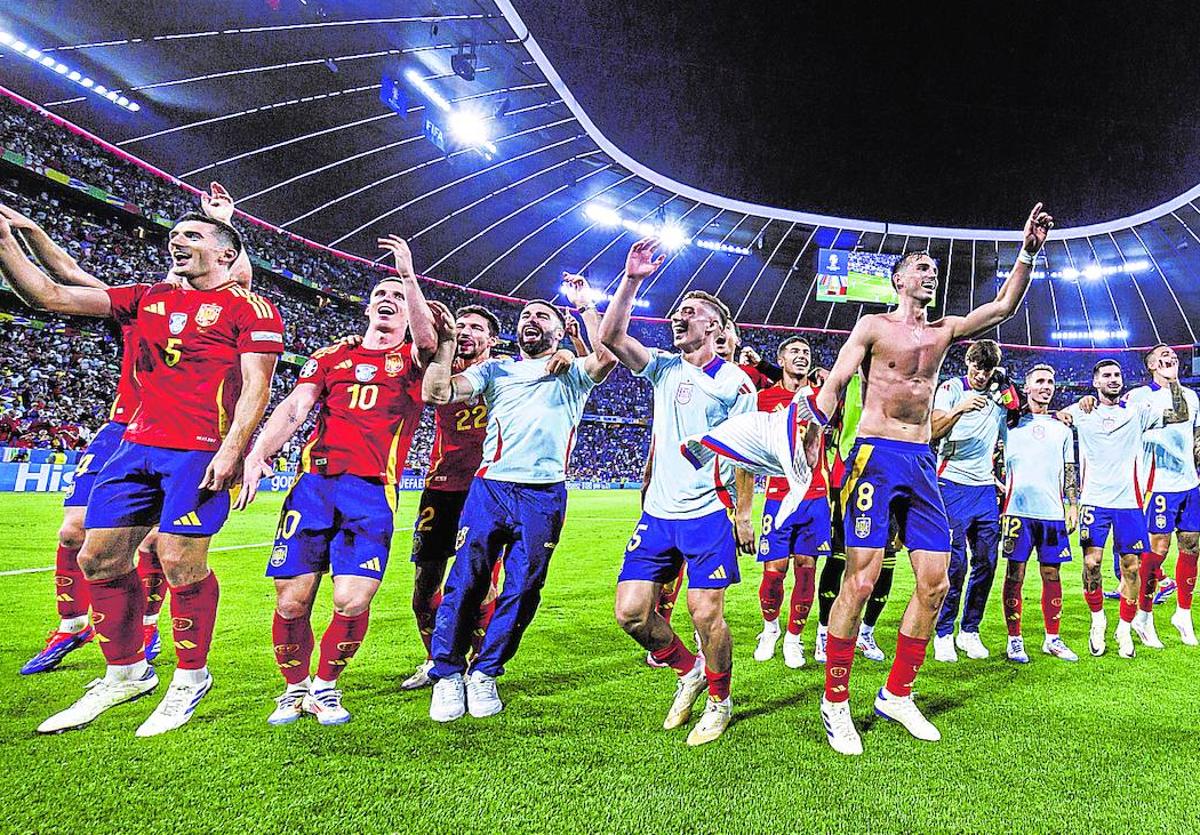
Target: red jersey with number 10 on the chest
<point>373,406</point>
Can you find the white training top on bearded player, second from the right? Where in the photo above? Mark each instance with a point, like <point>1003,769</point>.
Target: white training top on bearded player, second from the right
<point>1111,450</point>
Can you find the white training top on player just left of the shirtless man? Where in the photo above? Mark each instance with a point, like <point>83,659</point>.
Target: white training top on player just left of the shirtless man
<point>689,400</point>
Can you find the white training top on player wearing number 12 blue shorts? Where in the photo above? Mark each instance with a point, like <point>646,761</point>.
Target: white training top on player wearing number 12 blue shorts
<point>1036,456</point>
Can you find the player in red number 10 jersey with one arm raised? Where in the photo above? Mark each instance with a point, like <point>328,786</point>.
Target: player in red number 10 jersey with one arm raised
<point>338,516</point>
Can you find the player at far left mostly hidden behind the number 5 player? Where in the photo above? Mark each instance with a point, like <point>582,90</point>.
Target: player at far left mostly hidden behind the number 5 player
<point>75,627</point>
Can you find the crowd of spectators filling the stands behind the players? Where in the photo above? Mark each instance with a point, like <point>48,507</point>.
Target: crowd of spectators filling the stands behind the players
<point>58,375</point>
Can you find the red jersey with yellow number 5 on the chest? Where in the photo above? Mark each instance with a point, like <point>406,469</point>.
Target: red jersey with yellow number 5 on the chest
<point>188,358</point>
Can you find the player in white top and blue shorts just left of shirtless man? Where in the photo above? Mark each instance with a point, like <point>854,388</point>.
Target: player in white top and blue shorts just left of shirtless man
<point>686,516</point>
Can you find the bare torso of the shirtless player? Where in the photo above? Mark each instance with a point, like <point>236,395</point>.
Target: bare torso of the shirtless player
<point>904,362</point>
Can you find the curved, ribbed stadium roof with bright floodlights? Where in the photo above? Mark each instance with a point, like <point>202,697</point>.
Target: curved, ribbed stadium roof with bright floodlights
<point>281,101</point>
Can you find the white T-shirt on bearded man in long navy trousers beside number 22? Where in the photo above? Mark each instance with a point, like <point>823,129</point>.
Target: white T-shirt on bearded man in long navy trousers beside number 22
<point>531,418</point>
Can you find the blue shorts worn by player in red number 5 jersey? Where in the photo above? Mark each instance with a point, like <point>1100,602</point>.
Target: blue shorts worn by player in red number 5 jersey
<point>146,486</point>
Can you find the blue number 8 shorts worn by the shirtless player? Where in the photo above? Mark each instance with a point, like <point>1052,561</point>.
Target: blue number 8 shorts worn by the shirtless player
<point>897,478</point>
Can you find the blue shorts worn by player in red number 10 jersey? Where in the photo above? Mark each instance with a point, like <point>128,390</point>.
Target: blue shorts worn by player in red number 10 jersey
<point>339,524</point>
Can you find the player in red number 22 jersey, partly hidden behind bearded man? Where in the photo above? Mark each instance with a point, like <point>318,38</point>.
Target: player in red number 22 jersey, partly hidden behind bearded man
<point>460,430</point>
